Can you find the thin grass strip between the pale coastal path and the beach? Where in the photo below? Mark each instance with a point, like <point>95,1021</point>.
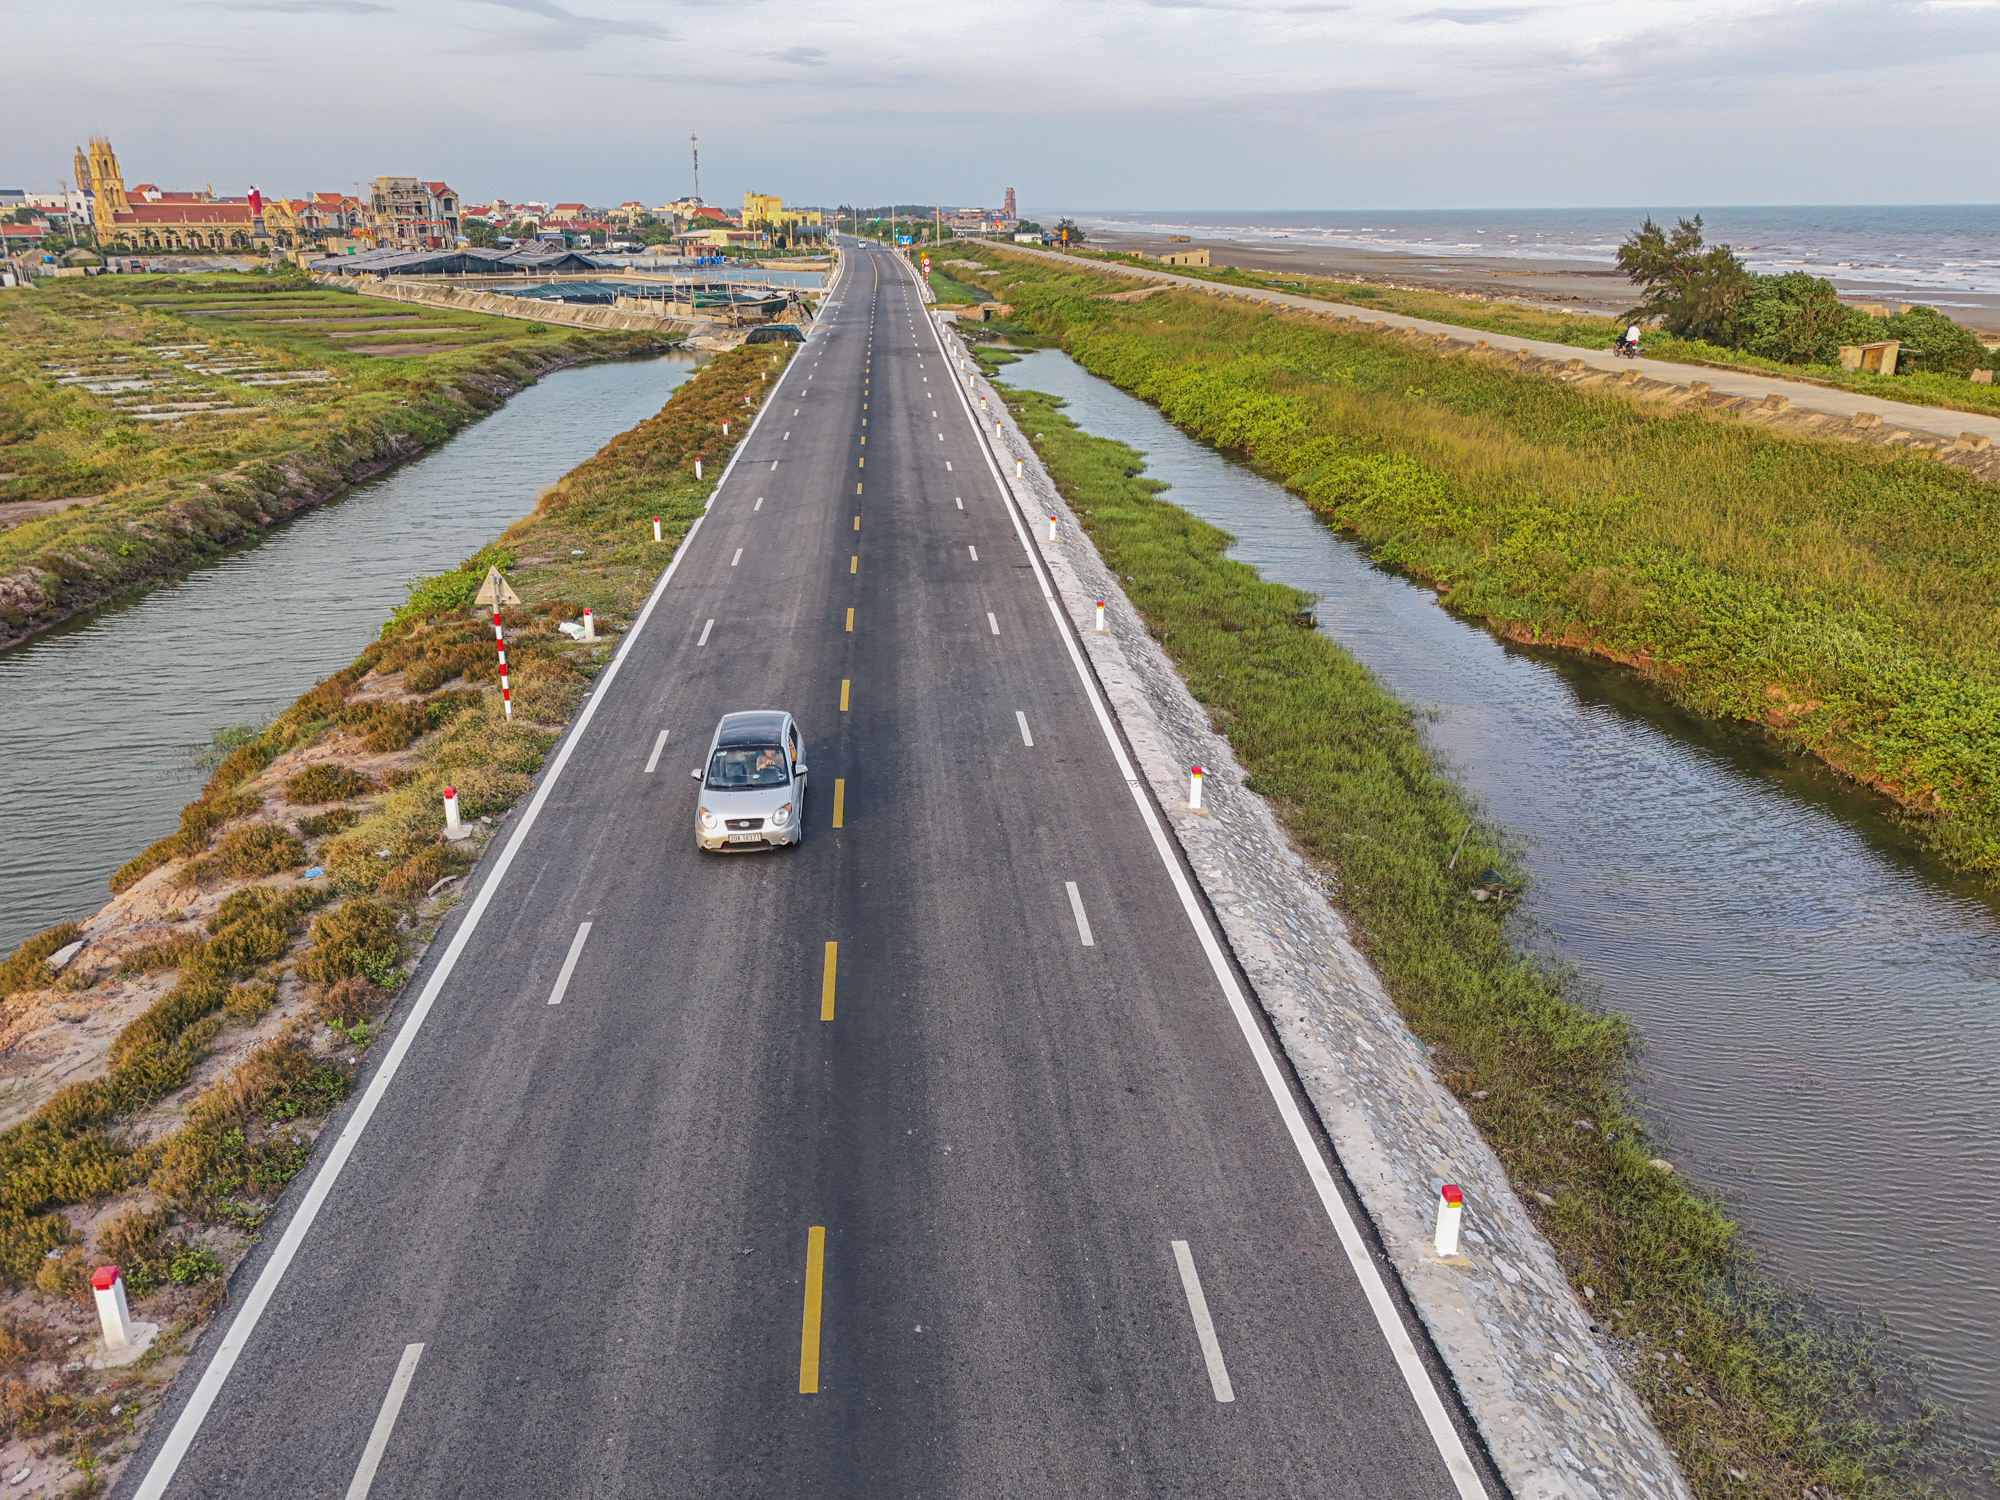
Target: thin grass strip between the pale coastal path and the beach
<point>1587,331</point>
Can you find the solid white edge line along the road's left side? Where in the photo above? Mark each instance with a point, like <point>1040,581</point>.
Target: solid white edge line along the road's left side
<point>167,1463</point>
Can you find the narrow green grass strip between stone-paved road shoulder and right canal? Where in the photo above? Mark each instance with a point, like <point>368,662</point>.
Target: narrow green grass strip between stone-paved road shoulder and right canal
<point>1731,1369</point>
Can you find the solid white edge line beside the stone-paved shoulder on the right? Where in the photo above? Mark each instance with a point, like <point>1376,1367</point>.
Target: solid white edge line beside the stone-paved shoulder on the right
<point>1351,1239</point>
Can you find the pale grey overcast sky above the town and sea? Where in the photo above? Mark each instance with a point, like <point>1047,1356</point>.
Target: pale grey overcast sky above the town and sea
<point>1075,103</point>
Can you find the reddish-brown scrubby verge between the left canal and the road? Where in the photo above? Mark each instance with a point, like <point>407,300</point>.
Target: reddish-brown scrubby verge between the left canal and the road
<point>337,947</point>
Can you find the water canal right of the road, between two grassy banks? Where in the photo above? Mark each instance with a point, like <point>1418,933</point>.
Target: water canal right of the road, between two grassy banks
<point>1819,999</point>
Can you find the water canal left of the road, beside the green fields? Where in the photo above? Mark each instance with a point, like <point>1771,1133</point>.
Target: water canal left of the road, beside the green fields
<point>103,715</point>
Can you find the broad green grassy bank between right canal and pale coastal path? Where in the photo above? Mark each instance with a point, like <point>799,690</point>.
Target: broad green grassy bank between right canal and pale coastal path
<point>1837,595</point>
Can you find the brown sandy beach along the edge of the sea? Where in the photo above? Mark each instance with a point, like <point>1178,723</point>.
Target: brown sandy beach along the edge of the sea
<point>1553,285</point>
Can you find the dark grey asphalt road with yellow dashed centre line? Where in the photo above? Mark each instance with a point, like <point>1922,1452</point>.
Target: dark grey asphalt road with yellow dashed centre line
<point>631,1229</point>
